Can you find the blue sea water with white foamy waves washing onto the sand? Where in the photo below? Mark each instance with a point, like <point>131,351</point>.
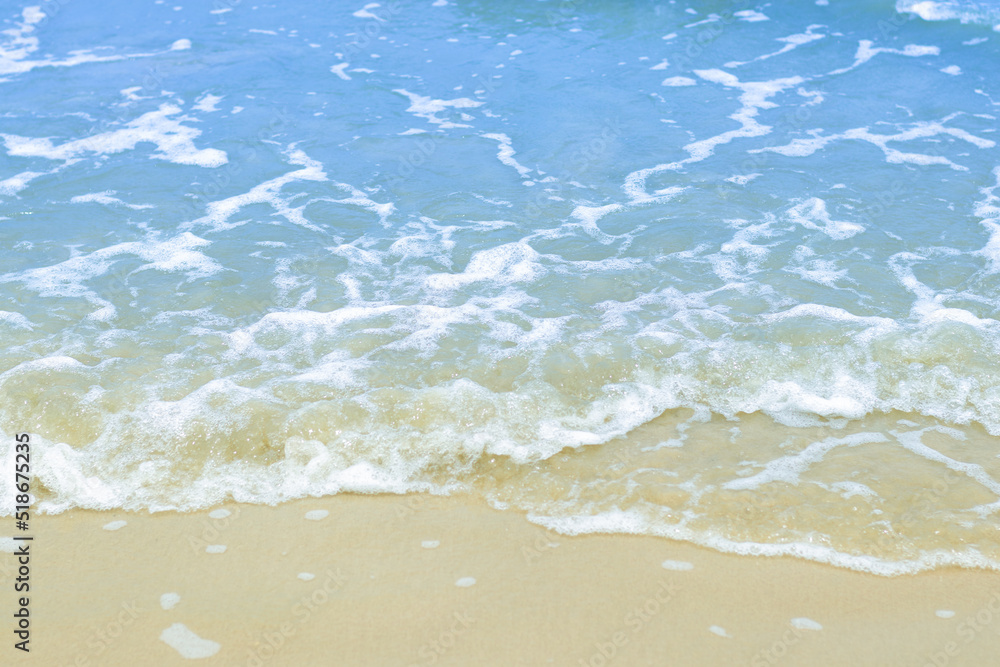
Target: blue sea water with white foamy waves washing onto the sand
<point>723,272</point>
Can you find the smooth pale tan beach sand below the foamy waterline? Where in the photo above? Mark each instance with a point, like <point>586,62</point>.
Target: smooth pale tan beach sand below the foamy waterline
<point>422,580</point>
